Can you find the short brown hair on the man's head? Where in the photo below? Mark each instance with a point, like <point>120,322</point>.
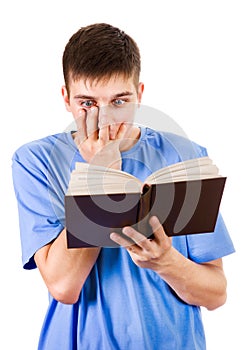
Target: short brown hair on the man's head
<point>100,51</point>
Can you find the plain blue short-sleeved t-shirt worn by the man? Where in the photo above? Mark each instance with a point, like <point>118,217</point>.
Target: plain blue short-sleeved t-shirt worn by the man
<point>121,306</point>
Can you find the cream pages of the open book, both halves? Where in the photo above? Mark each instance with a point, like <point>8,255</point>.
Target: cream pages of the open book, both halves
<point>89,179</point>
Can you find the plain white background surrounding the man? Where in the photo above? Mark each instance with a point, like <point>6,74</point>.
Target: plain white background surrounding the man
<point>196,69</point>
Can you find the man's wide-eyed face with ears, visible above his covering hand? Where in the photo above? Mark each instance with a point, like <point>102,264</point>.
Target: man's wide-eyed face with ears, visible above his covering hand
<point>116,99</point>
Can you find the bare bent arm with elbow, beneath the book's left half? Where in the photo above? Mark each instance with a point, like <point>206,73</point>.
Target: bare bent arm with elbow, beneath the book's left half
<point>65,270</point>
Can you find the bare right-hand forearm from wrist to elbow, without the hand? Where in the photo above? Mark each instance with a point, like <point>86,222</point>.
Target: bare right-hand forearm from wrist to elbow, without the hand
<point>196,284</point>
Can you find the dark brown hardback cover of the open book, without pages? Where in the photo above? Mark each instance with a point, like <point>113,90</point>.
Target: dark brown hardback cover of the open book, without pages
<point>185,207</point>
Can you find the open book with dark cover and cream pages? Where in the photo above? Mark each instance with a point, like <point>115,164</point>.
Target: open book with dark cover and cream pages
<point>184,196</point>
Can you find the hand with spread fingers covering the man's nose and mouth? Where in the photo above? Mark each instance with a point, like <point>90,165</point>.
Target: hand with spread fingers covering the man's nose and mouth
<point>99,143</point>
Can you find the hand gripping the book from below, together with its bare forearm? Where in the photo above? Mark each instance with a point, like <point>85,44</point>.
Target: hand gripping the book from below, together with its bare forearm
<point>202,284</point>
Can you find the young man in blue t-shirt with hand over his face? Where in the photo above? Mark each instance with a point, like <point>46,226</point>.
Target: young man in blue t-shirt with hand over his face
<point>146,295</point>
